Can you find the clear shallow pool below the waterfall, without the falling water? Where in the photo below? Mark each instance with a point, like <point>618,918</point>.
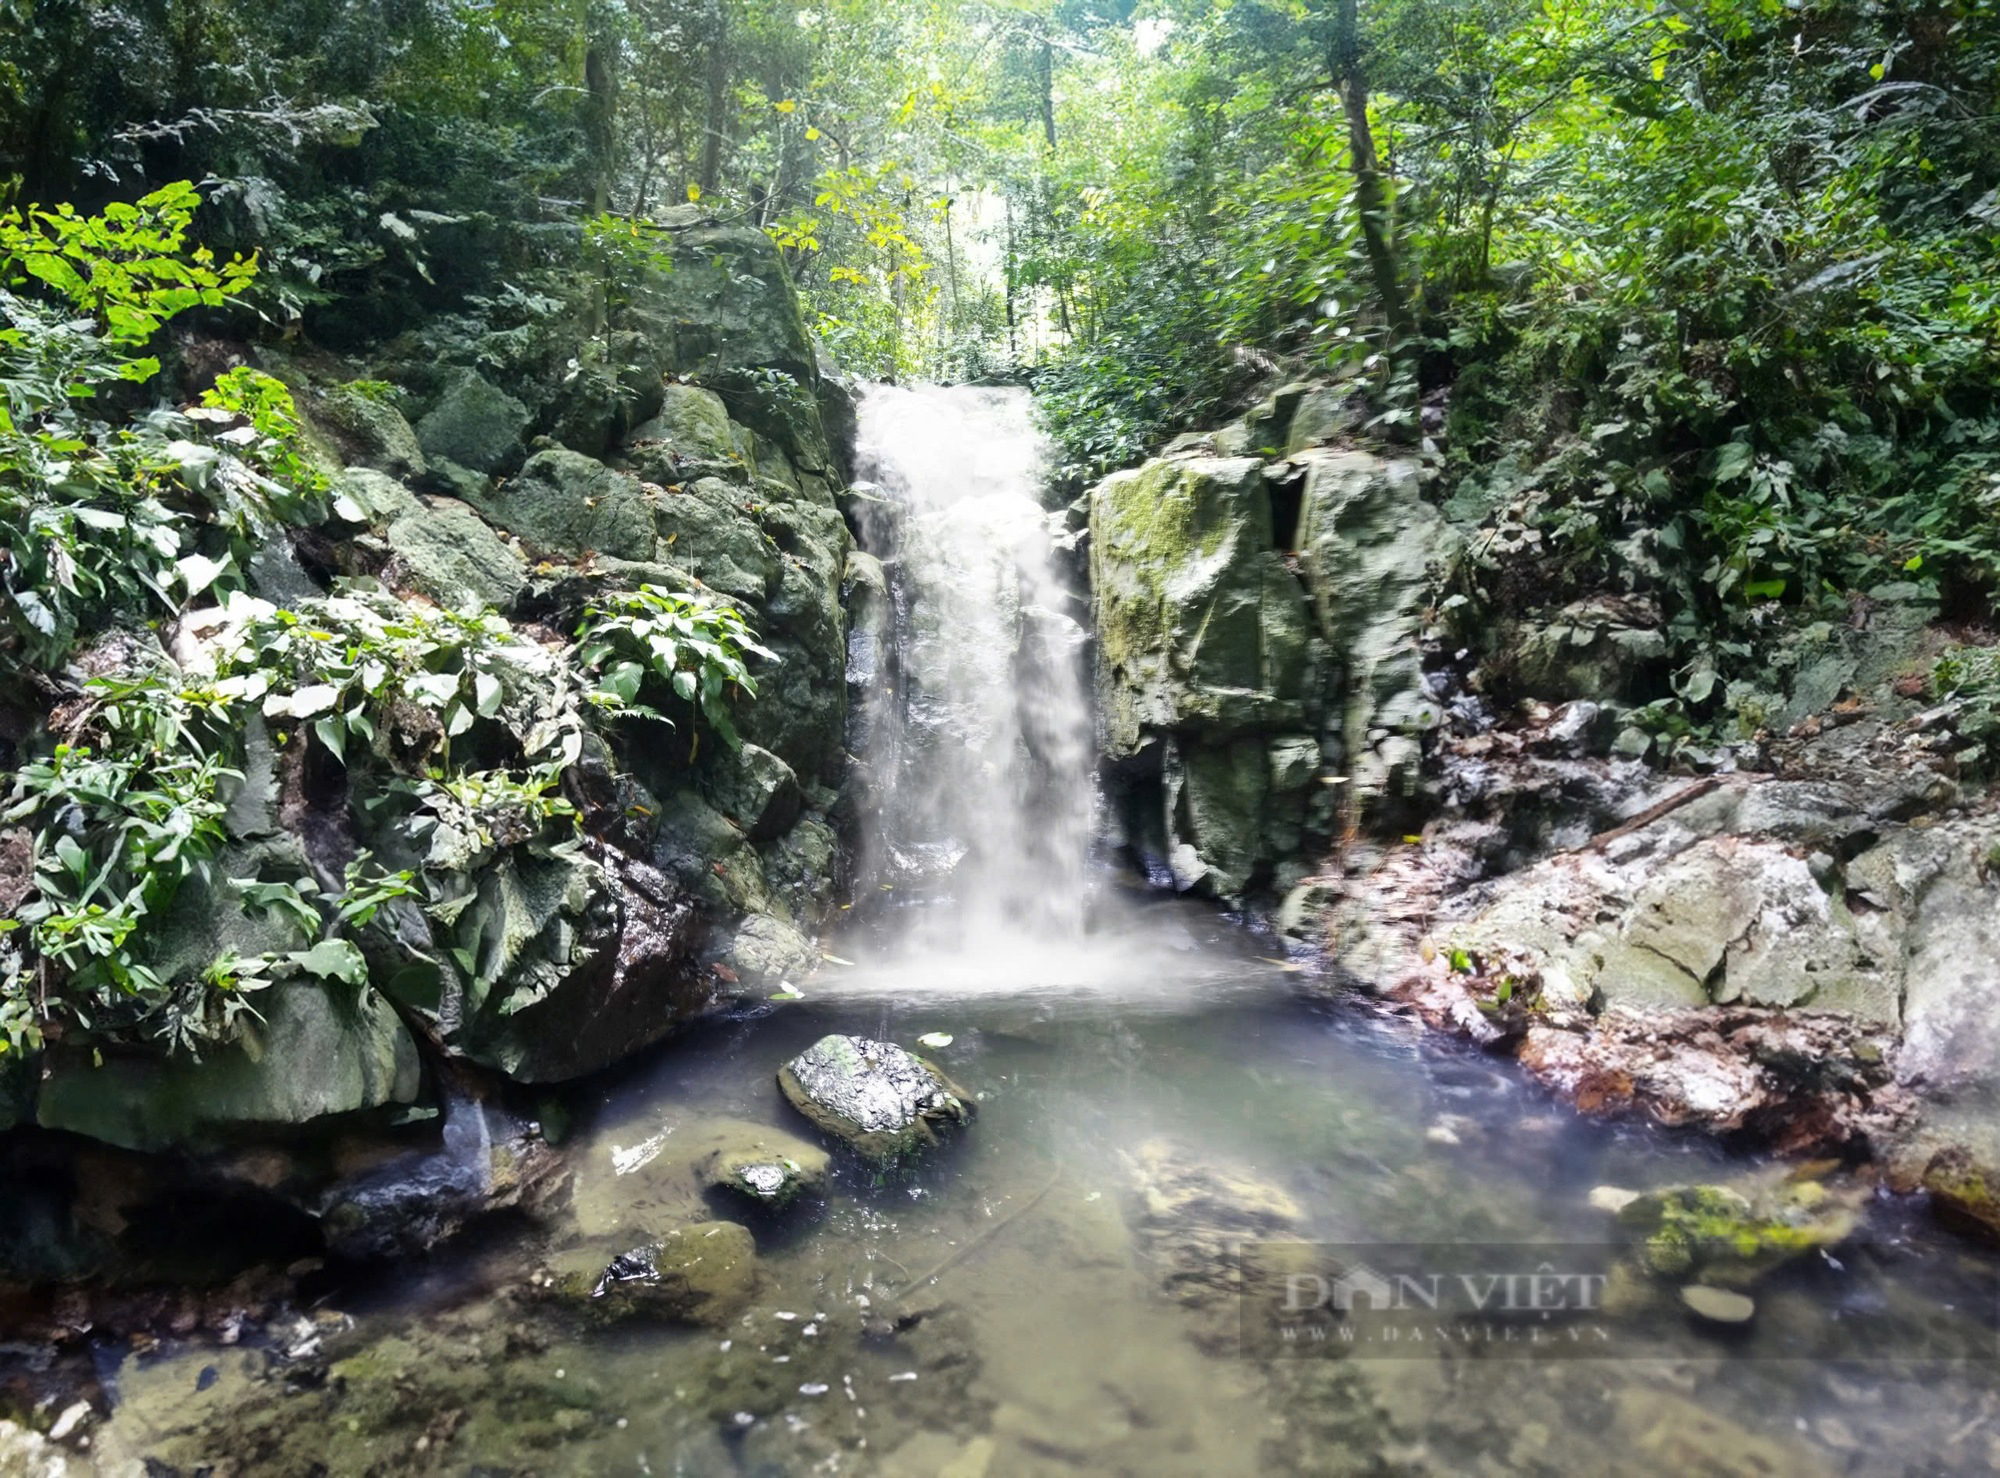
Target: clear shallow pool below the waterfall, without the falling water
<point>1053,1337</point>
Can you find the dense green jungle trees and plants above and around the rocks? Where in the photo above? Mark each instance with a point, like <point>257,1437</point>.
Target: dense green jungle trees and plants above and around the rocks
<point>1685,299</point>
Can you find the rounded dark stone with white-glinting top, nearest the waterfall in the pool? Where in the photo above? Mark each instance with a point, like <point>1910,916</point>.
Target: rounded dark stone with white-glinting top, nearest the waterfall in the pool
<point>875,1097</point>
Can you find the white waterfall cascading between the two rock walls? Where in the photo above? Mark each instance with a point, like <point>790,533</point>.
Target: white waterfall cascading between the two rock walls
<point>969,689</point>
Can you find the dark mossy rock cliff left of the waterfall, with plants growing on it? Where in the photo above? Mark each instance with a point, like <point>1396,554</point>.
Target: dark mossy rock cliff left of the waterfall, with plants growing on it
<point>683,439</point>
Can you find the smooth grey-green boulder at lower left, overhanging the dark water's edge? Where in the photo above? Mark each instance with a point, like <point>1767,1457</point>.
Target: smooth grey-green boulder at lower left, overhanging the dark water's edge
<point>323,1051</point>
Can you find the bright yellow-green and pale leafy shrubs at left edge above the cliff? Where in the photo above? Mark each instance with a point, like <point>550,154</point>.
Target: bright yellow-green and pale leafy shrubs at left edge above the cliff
<point>103,517</point>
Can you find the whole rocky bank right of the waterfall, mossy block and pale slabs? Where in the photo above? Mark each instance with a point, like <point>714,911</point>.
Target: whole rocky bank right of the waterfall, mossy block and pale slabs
<point>1451,807</point>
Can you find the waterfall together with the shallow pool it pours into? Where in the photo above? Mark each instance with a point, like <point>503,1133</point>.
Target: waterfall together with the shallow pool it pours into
<point>1051,1293</point>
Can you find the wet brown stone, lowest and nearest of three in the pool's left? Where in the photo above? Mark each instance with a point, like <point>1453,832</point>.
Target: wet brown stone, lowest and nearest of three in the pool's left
<point>691,1275</point>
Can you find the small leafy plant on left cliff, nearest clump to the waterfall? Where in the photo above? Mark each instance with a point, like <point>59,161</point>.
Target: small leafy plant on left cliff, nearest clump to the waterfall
<point>649,643</point>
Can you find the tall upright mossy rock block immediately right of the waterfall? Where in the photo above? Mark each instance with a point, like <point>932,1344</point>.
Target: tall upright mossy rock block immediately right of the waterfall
<point>1259,645</point>
